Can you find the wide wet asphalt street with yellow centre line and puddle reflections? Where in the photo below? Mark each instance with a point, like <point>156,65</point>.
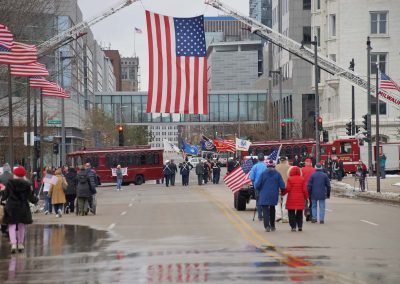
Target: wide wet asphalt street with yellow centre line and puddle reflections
<point>154,234</point>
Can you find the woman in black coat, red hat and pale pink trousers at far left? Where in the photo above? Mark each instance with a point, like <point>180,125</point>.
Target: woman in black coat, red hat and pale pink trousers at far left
<point>17,193</point>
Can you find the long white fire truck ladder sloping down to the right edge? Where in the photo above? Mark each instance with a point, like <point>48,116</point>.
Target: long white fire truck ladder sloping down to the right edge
<point>295,48</point>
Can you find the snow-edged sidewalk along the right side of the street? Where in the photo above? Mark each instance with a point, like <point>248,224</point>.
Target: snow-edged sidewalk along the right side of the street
<point>390,189</point>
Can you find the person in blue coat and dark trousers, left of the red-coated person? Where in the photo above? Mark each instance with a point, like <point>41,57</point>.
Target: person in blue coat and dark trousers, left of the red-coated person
<point>269,183</point>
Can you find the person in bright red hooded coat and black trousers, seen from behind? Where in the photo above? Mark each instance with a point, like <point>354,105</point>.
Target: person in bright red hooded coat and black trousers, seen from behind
<point>297,194</point>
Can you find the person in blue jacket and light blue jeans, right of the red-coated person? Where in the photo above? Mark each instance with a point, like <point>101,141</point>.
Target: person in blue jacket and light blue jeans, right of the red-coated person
<point>319,188</point>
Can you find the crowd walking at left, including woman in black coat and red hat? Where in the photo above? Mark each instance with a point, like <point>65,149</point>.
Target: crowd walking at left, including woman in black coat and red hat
<point>60,188</point>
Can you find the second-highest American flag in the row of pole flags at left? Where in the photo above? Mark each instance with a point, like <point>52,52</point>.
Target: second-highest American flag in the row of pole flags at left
<point>20,53</point>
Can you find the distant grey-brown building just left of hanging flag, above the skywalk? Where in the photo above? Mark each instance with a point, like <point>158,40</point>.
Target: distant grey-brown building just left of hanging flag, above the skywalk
<point>130,75</point>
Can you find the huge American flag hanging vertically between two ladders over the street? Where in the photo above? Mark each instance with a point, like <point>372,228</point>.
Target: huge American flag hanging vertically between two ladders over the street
<point>177,65</point>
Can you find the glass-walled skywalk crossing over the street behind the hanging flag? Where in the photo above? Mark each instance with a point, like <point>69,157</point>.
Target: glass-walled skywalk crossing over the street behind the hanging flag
<point>224,107</point>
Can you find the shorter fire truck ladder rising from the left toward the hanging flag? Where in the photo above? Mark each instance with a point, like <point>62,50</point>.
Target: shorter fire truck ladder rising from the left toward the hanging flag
<point>78,30</point>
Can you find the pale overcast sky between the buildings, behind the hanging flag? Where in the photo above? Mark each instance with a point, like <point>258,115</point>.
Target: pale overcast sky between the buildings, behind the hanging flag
<point>117,30</point>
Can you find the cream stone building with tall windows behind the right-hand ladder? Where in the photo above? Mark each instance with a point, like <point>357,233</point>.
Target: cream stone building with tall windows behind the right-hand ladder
<point>342,34</point>
